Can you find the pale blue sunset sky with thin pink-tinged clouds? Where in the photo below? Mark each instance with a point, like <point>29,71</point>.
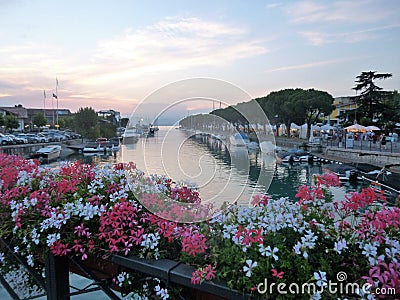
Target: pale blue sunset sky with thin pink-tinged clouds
<point>115,54</point>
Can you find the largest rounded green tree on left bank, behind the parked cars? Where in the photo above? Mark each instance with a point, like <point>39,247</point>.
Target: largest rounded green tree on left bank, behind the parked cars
<point>86,123</point>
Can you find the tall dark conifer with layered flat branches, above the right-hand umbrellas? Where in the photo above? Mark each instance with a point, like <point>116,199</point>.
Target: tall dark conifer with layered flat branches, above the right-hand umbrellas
<point>370,100</point>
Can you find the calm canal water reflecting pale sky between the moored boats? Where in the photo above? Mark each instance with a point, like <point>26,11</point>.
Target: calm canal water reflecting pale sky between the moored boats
<point>222,172</point>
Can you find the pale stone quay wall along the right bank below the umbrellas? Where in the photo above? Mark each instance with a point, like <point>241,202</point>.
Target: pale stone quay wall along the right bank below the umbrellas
<point>375,158</point>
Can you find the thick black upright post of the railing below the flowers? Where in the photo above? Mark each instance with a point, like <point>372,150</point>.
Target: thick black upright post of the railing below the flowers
<point>57,277</point>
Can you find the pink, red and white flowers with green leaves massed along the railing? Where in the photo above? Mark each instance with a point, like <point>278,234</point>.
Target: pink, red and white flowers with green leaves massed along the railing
<point>315,247</point>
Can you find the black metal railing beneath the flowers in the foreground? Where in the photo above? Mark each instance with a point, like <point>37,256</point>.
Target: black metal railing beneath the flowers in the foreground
<point>56,281</point>
